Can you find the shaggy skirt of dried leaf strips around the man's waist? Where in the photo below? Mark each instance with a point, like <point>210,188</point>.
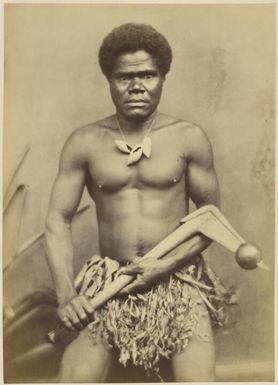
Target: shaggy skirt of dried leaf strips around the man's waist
<point>158,322</point>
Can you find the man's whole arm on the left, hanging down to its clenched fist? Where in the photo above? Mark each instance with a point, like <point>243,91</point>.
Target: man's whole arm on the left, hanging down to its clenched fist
<point>66,194</point>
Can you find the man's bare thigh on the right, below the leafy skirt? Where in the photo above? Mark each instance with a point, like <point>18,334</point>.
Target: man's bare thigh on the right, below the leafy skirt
<point>197,361</point>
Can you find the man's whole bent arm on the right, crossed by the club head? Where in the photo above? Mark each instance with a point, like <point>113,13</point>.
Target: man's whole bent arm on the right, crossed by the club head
<point>203,189</point>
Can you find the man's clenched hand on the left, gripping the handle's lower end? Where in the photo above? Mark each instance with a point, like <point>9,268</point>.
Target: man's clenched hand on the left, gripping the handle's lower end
<point>76,313</point>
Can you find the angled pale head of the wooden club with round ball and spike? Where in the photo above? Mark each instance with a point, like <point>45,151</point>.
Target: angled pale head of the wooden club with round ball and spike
<point>216,227</point>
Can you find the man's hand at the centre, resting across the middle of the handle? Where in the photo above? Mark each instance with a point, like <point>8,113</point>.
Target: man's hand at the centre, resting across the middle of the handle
<point>147,270</point>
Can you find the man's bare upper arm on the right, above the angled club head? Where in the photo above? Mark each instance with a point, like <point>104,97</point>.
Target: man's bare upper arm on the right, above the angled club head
<point>202,183</point>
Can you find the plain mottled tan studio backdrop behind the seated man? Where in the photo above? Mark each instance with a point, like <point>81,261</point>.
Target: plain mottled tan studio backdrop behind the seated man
<point>222,78</point>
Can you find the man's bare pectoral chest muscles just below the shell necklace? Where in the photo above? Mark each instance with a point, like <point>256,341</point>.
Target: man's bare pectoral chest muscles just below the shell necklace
<point>109,171</point>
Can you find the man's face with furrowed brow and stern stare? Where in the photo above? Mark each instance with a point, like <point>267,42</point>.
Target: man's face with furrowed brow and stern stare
<point>136,85</point>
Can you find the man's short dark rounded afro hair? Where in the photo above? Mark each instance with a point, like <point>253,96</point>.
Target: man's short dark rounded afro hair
<point>131,37</point>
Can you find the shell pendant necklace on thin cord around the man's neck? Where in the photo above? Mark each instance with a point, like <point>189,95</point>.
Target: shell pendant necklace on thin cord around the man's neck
<point>135,152</point>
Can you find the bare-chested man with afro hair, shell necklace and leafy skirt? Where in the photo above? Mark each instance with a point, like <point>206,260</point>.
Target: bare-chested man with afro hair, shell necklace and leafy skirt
<point>140,167</point>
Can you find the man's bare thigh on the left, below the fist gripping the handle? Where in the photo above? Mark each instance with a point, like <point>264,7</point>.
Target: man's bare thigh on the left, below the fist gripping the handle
<point>84,361</point>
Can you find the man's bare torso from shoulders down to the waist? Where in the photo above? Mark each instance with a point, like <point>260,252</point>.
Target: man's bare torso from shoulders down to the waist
<point>137,205</point>
